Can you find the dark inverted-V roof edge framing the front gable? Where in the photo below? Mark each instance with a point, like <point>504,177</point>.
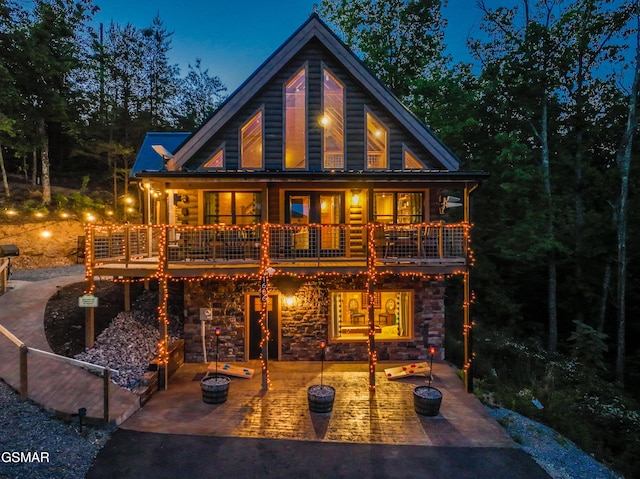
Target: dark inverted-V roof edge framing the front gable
<point>314,27</point>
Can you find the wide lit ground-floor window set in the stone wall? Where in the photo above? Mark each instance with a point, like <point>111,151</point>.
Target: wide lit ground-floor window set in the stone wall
<point>393,318</point>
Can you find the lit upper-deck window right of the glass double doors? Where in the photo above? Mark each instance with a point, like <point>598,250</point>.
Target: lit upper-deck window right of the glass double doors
<point>398,207</point>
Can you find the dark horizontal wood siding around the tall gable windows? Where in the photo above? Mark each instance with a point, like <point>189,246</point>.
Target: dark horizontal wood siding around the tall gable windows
<point>271,100</point>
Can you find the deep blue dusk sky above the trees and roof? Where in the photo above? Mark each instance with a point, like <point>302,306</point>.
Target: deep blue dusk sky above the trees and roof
<point>234,37</point>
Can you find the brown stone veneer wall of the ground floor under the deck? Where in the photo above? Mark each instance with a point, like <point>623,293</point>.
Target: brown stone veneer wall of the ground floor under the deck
<point>303,326</point>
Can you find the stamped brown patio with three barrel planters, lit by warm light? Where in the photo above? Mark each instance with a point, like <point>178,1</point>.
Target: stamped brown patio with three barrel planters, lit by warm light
<point>282,412</point>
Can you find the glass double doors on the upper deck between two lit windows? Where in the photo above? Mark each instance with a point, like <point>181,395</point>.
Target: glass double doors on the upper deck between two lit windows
<point>318,210</point>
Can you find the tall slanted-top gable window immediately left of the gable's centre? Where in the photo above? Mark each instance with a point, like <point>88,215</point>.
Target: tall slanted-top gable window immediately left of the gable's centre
<point>296,122</point>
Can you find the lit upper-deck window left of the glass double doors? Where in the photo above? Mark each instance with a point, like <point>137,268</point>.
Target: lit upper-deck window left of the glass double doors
<point>232,208</point>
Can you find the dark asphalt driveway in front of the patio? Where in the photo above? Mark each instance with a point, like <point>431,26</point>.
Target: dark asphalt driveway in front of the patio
<point>133,454</point>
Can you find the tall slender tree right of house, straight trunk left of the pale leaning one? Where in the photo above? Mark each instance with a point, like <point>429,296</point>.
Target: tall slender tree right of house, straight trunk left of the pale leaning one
<point>526,63</point>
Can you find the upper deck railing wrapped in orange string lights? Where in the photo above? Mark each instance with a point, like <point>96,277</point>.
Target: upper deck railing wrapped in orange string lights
<point>220,245</point>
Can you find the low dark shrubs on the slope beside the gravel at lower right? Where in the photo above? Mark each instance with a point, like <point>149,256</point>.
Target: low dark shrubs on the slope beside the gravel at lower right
<point>577,403</point>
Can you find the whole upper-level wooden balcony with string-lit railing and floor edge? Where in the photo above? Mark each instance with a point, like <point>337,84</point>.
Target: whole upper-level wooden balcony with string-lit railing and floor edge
<point>191,251</point>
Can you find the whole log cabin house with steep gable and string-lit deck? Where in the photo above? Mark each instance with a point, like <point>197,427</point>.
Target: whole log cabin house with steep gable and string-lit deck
<point>312,205</point>
